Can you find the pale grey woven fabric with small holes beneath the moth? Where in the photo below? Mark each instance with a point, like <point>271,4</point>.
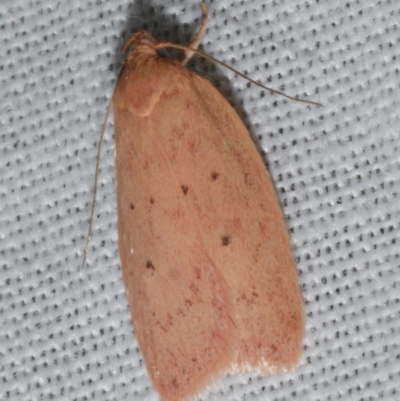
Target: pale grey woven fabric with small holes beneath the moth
<point>65,332</point>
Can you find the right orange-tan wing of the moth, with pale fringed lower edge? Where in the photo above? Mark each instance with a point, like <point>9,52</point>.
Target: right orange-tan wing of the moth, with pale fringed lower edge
<point>231,195</point>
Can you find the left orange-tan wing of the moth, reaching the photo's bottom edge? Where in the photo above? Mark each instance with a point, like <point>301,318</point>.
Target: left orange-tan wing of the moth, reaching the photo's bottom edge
<point>180,303</point>
